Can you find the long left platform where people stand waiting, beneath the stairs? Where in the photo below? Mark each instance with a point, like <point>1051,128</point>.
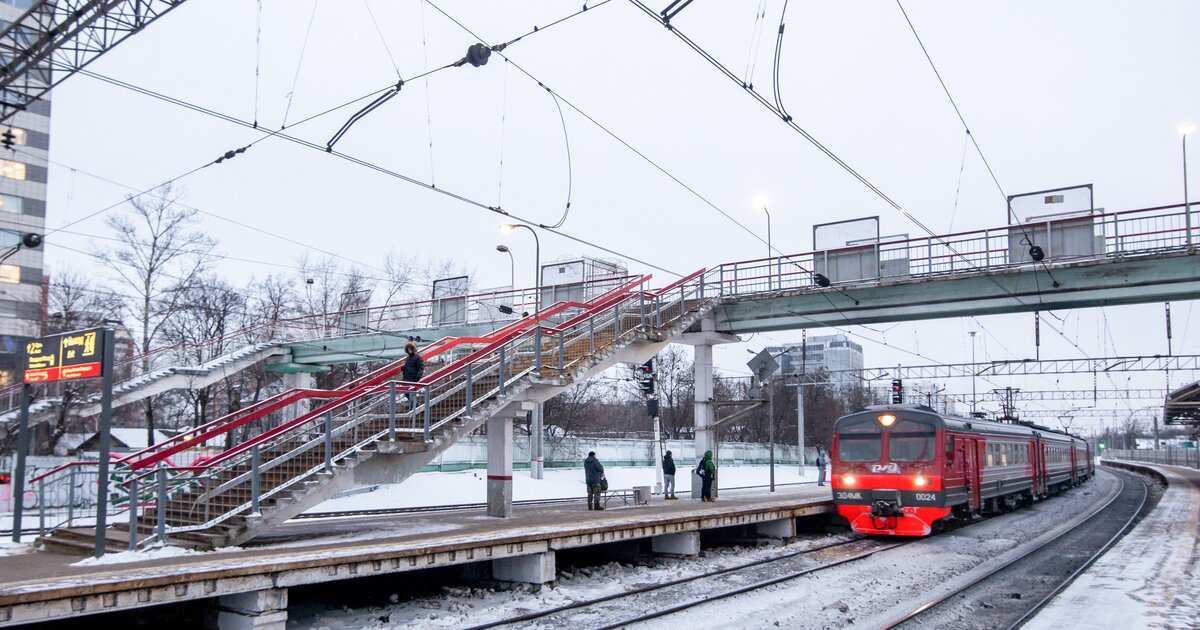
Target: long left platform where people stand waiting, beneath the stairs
<point>46,586</point>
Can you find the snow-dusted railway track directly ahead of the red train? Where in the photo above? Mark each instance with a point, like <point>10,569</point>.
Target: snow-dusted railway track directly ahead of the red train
<point>781,569</point>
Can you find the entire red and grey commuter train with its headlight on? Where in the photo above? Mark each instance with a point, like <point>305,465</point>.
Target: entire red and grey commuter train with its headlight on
<point>907,470</point>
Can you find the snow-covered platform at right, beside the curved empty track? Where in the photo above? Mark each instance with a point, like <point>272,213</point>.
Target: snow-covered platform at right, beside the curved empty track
<point>1150,578</point>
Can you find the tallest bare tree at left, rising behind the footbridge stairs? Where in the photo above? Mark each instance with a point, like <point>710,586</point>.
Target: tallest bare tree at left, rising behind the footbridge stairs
<point>158,255</point>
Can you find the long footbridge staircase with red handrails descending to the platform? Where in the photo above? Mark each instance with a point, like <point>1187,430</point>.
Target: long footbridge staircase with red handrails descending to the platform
<point>380,430</point>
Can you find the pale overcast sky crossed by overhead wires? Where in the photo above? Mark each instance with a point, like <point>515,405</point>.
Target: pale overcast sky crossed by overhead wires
<point>1057,94</point>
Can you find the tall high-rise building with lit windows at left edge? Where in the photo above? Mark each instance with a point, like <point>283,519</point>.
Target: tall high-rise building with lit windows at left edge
<point>23,173</point>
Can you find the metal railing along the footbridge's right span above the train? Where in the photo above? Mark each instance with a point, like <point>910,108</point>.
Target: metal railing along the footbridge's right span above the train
<point>1061,239</point>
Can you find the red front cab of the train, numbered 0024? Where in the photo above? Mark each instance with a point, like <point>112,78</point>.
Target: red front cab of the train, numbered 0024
<point>887,472</point>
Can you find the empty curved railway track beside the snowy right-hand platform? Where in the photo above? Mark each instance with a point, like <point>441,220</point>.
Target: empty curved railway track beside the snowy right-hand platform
<point>1046,568</point>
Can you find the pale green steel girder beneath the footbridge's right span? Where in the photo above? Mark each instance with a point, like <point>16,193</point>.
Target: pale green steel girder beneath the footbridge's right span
<point>1105,283</point>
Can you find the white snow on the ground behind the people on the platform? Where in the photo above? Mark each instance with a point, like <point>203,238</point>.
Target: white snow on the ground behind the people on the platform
<point>471,487</point>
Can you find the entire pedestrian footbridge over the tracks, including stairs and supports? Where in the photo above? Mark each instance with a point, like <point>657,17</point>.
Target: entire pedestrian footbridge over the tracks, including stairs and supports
<point>499,356</point>
